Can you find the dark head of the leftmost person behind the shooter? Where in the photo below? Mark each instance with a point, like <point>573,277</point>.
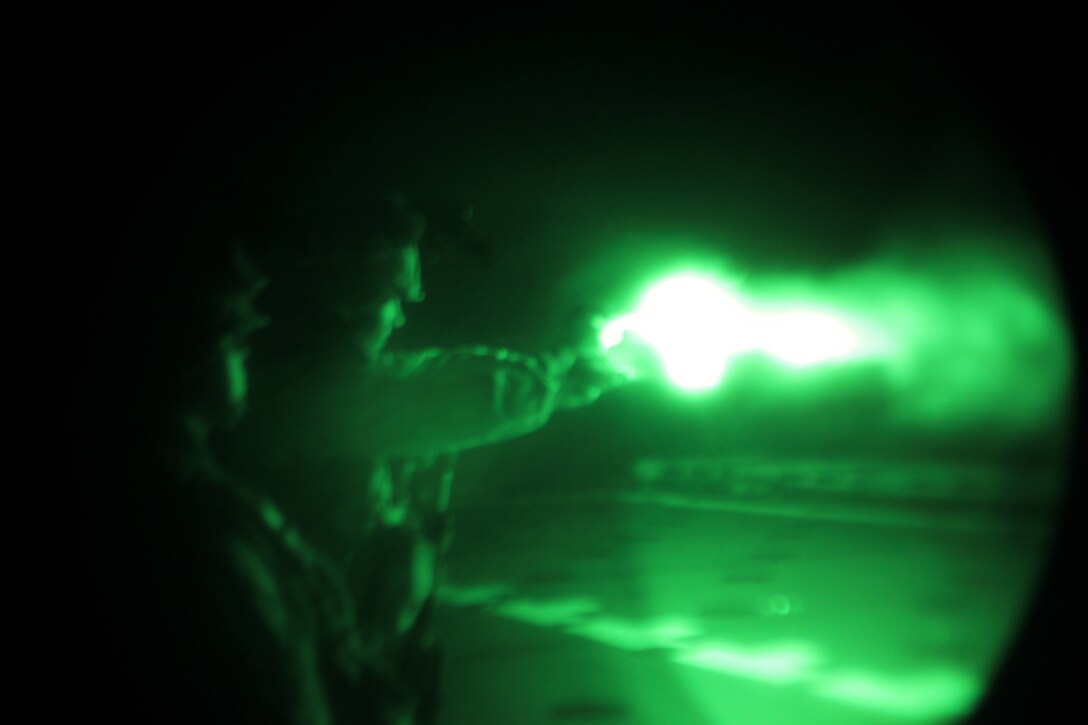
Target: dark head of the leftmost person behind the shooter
<point>176,342</point>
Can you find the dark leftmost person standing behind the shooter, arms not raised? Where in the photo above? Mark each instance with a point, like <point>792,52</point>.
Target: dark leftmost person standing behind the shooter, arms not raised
<point>204,606</point>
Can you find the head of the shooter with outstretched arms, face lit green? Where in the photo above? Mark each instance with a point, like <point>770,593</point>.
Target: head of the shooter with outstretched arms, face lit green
<point>345,277</point>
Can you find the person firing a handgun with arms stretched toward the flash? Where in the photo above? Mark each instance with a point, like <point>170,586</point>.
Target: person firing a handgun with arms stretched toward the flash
<point>356,444</point>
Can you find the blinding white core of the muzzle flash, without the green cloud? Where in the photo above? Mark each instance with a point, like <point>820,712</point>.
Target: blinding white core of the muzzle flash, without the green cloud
<point>697,324</point>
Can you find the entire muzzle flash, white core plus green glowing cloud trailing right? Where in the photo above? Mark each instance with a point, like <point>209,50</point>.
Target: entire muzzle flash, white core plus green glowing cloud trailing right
<point>960,336</point>
